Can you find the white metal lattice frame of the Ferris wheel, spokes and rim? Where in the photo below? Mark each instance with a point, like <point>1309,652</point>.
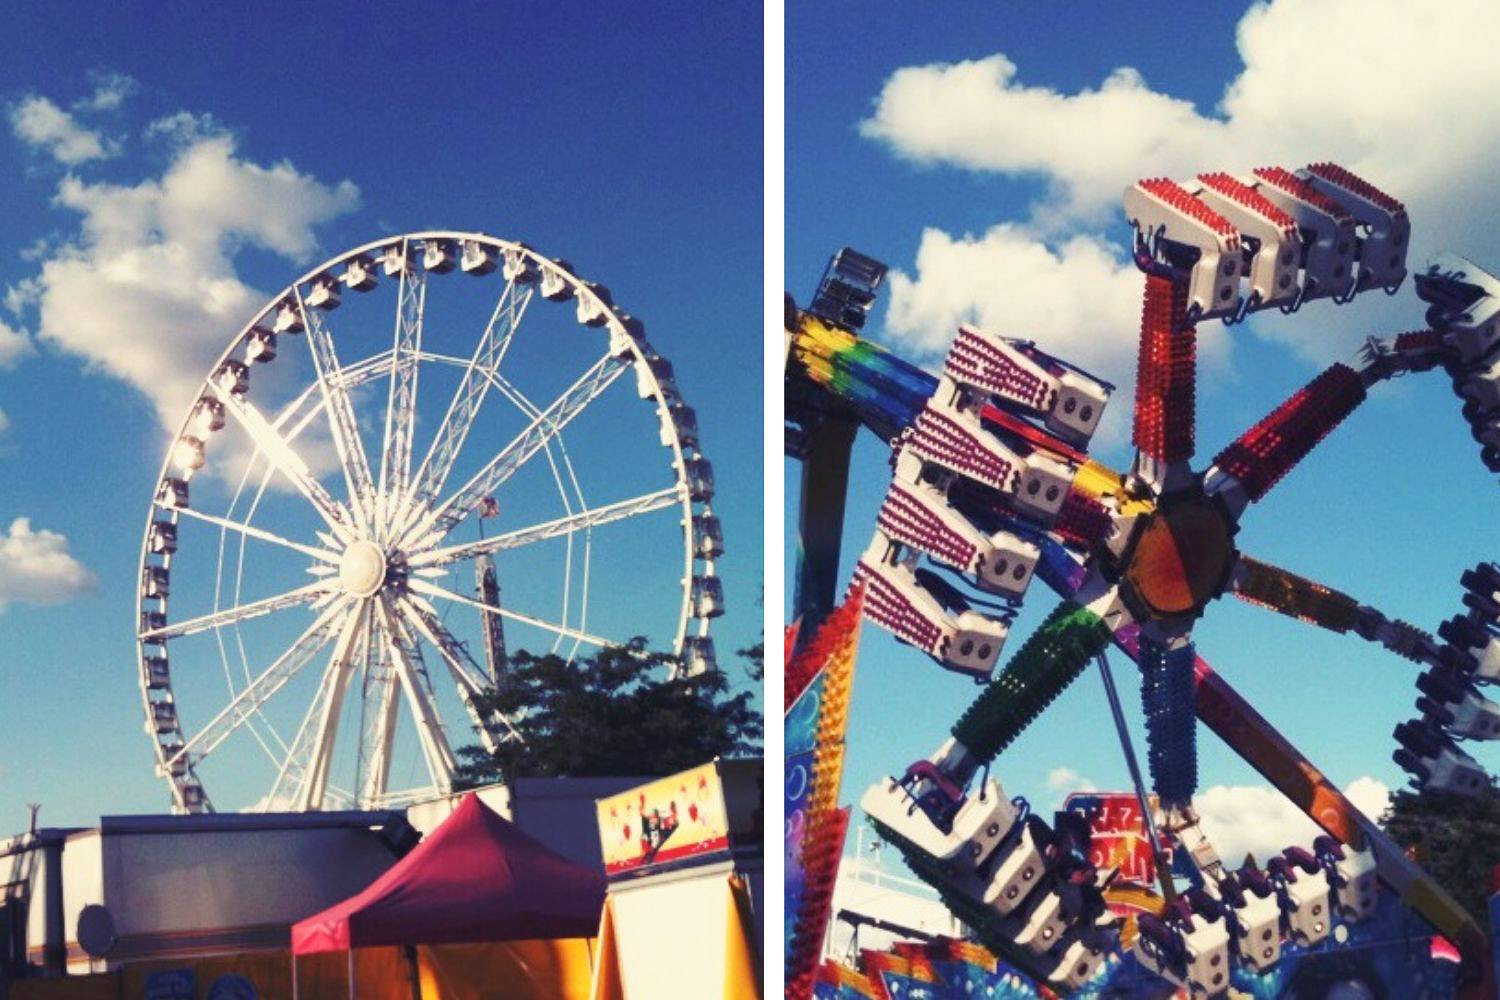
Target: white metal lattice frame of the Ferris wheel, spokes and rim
<point>398,515</point>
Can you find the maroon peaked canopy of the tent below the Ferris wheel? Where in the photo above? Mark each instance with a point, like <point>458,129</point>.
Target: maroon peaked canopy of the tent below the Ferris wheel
<point>475,879</point>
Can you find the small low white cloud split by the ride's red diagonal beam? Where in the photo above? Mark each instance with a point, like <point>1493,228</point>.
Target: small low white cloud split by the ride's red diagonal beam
<point>1261,821</point>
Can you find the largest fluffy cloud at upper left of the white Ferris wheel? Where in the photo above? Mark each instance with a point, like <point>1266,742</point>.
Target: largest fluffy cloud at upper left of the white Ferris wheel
<point>148,289</point>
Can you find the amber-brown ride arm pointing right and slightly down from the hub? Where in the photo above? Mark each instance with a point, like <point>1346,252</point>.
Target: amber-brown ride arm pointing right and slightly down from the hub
<point>1294,596</point>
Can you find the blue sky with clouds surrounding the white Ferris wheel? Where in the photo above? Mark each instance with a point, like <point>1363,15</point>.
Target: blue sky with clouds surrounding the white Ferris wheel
<point>629,145</point>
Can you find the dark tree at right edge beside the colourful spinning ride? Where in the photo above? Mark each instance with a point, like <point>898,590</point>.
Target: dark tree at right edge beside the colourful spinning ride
<point>1456,840</point>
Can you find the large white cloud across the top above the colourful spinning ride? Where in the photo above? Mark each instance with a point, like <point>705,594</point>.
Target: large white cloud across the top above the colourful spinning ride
<point>1373,85</point>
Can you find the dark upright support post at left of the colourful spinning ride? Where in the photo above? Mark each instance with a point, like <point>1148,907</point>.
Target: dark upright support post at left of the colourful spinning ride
<point>820,524</point>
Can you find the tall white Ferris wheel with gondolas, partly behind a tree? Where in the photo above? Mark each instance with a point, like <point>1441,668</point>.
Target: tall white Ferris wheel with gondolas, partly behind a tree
<point>364,512</point>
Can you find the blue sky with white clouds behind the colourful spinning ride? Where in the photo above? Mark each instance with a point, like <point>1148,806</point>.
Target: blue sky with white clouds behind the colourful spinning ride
<point>982,155</point>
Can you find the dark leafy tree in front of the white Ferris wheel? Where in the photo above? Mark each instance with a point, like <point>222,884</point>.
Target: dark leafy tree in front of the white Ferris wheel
<point>610,714</point>
